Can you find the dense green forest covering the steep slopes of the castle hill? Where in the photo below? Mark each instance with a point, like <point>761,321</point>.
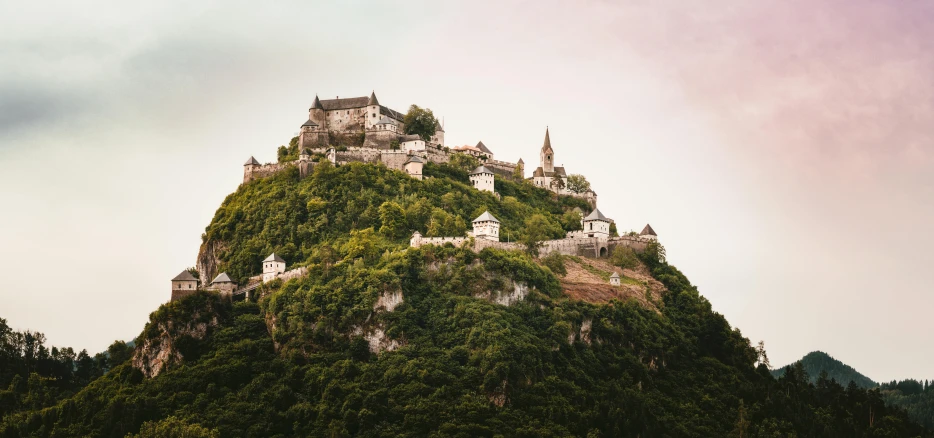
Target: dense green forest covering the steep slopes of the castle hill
<point>325,355</point>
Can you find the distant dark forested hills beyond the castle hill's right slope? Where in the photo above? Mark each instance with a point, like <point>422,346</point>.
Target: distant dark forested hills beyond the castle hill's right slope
<point>915,397</point>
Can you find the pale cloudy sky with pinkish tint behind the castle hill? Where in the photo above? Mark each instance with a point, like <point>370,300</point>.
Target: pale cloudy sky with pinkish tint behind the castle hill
<point>783,150</point>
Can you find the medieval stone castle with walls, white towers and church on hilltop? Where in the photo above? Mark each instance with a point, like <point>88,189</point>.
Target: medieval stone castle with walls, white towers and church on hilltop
<point>381,129</point>
